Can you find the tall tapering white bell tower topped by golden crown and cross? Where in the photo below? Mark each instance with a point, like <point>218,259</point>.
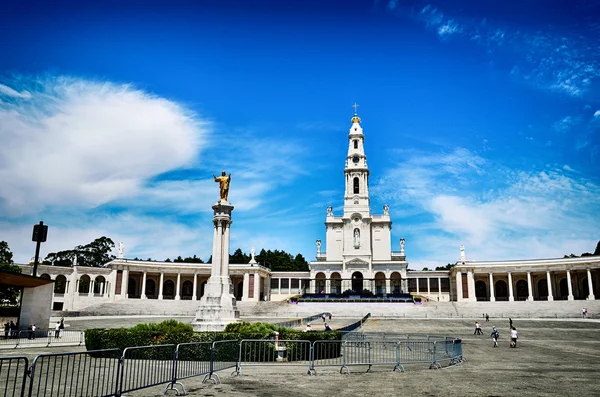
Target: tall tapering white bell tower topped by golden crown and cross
<point>356,196</point>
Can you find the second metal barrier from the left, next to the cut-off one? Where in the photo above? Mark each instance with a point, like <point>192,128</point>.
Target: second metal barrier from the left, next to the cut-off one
<point>75,374</point>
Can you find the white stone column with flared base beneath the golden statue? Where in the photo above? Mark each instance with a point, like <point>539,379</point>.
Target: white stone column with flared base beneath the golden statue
<point>217,305</point>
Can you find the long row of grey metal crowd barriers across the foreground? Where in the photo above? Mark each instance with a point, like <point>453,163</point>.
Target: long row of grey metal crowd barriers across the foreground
<point>111,372</point>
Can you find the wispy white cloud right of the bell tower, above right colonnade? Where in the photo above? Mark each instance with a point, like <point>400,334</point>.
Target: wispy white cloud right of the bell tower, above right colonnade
<point>497,212</point>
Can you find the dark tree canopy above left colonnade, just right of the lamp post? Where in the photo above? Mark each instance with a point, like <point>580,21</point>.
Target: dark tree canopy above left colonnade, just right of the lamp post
<point>95,254</point>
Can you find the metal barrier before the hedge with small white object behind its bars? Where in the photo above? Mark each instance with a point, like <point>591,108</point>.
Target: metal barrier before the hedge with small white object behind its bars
<point>260,352</point>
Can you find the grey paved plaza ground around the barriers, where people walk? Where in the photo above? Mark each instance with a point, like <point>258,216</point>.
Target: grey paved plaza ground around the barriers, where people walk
<point>554,357</point>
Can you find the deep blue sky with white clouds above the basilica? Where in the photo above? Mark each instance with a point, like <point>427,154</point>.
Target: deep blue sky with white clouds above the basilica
<point>481,120</point>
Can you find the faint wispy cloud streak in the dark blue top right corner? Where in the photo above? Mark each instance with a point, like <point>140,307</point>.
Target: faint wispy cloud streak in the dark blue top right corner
<point>549,59</point>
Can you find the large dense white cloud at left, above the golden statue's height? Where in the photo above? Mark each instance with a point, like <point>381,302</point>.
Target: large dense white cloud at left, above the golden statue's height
<point>84,143</point>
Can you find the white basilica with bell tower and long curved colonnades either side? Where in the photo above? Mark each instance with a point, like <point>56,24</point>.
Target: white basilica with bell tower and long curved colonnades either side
<point>357,260</point>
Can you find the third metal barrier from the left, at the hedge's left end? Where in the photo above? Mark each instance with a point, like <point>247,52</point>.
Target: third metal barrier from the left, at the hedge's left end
<point>146,366</point>
